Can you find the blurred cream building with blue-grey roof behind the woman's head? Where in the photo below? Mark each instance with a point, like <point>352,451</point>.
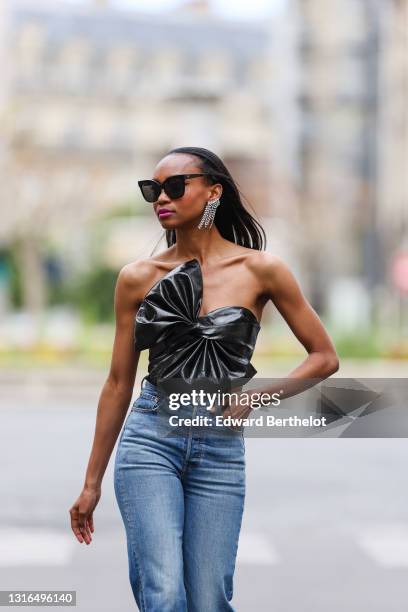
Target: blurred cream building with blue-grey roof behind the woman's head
<point>95,96</point>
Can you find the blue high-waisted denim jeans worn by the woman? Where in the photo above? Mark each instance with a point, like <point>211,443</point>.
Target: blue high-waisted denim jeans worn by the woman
<point>180,491</point>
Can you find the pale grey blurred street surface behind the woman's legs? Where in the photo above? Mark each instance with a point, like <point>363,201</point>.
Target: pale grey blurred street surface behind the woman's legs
<point>325,524</point>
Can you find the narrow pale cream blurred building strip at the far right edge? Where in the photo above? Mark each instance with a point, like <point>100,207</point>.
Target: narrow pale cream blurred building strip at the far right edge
<point>392,193</point>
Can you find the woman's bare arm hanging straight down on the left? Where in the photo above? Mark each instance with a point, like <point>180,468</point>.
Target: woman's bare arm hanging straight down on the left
<point>113,402</point>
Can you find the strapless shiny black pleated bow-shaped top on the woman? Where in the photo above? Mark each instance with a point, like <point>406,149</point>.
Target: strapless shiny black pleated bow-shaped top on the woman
<point>184,345</point>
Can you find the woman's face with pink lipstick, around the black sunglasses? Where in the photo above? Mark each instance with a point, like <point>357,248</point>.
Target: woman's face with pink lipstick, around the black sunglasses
<point>189,208</point>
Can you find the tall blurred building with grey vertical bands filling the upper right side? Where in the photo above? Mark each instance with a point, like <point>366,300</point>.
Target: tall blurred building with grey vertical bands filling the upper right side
<point>353,96</point>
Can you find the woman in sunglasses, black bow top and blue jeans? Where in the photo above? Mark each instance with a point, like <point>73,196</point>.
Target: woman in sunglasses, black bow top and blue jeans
<point>198,308</point>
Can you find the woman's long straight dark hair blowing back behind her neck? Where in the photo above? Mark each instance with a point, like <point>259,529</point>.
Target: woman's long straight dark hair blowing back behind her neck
<point>232,219</point>
